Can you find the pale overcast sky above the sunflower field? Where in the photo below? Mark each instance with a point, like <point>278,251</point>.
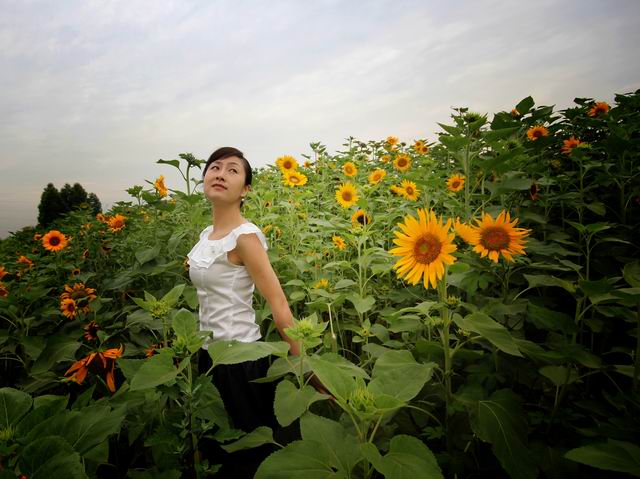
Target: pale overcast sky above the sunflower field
<point>96,91</point>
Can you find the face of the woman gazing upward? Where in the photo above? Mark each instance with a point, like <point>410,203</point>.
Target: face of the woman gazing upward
<point>224,181</point>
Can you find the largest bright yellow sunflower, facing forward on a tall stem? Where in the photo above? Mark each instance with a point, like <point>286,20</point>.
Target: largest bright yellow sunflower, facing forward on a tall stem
<point>425,246</point>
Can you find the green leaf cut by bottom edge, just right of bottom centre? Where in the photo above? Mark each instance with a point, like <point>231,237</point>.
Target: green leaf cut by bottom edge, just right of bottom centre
<point>408,458</point>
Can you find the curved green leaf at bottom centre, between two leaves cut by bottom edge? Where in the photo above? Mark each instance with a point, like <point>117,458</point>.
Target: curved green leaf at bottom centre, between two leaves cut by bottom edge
<point>341,446</point>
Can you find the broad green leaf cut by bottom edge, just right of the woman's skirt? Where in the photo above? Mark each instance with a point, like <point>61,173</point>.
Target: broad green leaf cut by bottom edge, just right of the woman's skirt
<point>299,460</point>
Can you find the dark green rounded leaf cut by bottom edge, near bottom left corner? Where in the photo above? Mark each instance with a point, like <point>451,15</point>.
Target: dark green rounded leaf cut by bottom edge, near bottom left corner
<point>51,457</point>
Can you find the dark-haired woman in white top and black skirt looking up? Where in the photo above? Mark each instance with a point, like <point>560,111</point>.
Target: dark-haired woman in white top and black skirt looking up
<point>227,262</point>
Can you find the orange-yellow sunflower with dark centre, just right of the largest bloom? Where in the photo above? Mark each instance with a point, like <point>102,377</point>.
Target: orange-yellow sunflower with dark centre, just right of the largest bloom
<point>495,237</point>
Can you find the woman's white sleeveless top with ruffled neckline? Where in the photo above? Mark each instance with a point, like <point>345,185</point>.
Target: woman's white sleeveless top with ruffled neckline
<point>225,290</point>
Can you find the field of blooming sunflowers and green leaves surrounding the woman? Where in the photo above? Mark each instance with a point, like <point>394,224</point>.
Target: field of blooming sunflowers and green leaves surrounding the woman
<point>471,304</point>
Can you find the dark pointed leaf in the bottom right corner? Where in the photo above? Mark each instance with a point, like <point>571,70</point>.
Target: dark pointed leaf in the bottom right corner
<point>613,455</point>
